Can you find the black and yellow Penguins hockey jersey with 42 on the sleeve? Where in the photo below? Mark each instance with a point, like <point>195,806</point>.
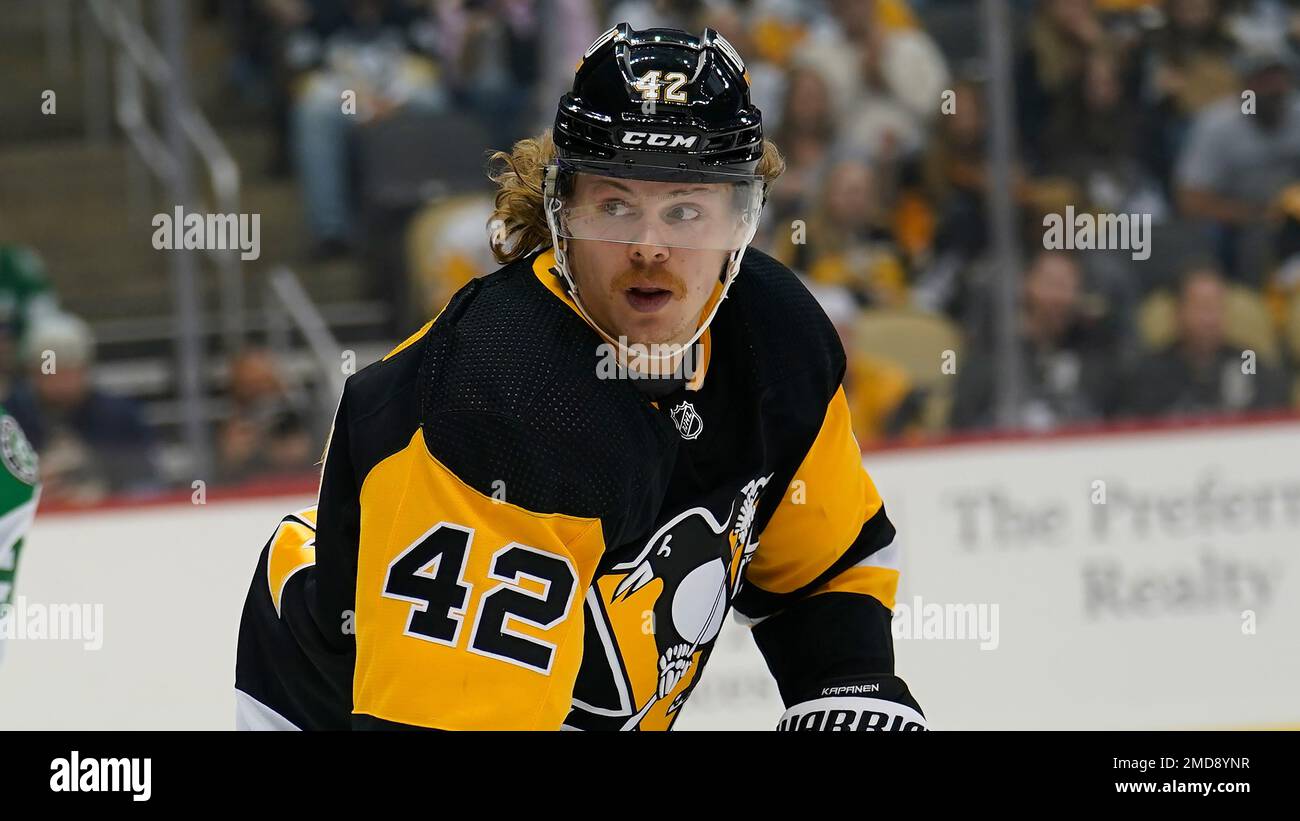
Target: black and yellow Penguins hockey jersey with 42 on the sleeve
<point>504,540</point>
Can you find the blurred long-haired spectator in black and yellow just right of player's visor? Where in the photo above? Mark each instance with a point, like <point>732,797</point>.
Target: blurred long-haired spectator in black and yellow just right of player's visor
<point>847,241</point>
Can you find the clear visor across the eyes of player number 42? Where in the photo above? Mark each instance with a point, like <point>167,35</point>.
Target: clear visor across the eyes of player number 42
<point>674,208</point>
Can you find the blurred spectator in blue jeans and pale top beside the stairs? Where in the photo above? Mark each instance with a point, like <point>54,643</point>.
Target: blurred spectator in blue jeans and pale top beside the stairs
<point>359,62</point>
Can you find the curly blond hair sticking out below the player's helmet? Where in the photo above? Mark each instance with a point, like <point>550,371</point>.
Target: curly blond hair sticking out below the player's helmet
<point>518,225</point>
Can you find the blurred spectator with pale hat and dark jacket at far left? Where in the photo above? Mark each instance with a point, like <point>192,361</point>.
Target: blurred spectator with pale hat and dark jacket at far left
<point>92,442</point>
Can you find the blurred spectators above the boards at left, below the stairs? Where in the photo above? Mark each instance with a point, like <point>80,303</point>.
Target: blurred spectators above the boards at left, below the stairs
<point>96,441</point>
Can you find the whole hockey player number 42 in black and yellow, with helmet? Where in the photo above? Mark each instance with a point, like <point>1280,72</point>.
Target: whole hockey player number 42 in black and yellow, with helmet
<point>536,512</point>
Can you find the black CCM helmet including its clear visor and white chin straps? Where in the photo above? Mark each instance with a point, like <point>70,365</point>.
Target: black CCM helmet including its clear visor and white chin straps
<point>664,107</point>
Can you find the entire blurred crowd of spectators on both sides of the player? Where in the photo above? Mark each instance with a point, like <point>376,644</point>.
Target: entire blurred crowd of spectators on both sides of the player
<point>1182,114</point>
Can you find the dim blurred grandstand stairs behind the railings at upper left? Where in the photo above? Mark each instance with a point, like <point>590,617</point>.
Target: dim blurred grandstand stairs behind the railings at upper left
<point>81,207</point>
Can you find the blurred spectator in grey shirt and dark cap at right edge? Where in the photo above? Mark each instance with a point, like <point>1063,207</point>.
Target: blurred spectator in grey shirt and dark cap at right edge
<point>1238,159</point>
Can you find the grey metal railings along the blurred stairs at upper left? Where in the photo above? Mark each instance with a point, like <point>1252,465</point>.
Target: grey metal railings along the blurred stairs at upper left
<point>116,47</point>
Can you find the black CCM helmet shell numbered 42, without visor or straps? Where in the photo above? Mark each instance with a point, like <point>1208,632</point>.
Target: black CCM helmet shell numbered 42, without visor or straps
<point>661,99</point>
